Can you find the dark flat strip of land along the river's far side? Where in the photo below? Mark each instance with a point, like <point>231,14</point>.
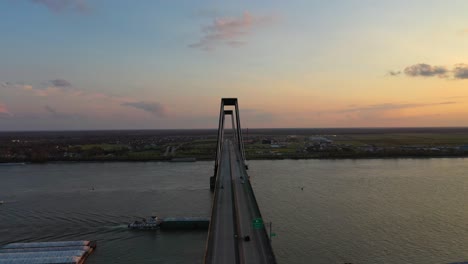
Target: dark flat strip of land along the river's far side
<point>272,144</point>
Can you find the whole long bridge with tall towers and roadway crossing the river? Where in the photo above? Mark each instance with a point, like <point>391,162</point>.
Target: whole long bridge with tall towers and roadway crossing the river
<point>237,233</point>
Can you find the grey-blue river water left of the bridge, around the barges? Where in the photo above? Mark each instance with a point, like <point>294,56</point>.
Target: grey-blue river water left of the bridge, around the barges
<point>95,201</point>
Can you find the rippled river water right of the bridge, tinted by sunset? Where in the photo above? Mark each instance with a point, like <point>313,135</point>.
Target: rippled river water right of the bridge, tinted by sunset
<point>366,211</point>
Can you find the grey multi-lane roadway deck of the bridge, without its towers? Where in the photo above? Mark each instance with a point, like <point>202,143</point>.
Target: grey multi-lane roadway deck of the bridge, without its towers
<point>234,209</point>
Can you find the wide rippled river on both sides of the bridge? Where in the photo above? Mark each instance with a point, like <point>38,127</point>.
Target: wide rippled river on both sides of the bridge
<point>323,211</point>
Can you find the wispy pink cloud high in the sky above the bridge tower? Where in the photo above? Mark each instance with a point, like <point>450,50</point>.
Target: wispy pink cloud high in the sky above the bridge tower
<point>229,31</point>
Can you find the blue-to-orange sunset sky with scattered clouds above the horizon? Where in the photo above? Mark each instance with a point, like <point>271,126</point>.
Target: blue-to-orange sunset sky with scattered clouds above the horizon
<point>149,64</point>
